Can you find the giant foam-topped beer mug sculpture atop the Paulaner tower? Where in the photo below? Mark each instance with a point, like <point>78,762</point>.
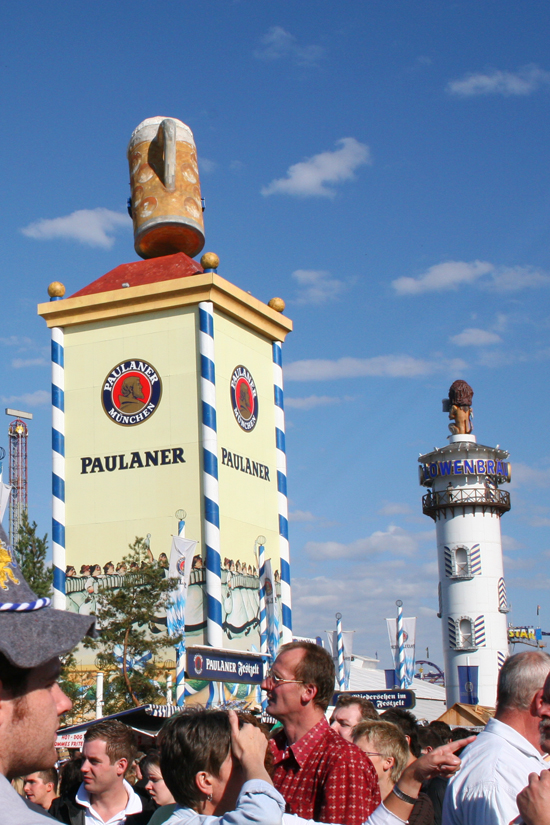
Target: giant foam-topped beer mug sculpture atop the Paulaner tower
<point>166,196</point>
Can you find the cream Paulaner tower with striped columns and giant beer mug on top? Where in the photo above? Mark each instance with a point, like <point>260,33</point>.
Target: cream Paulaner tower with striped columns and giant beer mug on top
<point>167,398</point>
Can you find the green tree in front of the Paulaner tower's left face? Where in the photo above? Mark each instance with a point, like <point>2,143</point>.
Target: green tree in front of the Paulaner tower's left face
<point>124,617</point>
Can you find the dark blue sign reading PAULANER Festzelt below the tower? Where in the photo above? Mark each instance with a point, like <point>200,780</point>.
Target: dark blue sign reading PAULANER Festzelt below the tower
<point>218,665</point>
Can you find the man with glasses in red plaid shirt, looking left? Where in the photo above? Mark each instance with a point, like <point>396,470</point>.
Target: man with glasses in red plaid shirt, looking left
<point>320,775</point>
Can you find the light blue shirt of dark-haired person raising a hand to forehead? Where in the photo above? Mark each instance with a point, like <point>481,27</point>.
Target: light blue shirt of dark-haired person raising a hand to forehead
<point>258,803</point>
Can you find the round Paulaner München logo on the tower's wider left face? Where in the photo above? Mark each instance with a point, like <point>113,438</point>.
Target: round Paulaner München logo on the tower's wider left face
<point>131,392</point>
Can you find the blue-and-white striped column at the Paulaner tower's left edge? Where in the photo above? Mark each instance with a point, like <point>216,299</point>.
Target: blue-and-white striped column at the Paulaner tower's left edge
<point>58,466</point>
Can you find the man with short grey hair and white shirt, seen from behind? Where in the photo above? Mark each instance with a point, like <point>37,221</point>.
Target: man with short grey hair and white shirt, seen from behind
<point>497,765</point>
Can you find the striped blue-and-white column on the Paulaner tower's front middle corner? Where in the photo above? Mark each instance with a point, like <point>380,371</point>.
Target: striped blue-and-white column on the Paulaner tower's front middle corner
<point>214,633</point>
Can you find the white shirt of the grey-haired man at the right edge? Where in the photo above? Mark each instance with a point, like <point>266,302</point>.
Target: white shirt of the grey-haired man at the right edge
<point>495,768</point>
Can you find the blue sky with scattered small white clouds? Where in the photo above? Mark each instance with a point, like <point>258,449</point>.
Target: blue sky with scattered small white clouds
<point>382,166</point>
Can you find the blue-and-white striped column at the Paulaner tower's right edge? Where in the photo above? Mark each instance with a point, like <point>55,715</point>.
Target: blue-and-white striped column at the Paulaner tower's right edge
<point>284,551</point>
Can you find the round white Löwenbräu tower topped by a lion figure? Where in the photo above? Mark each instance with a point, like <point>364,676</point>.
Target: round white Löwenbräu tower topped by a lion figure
<point>466,504</point>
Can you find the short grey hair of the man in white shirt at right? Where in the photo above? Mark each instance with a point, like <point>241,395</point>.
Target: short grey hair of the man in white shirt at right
<point>520,677</point>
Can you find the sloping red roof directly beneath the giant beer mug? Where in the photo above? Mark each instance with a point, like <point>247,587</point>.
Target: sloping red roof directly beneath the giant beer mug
<point>150,271</point>
